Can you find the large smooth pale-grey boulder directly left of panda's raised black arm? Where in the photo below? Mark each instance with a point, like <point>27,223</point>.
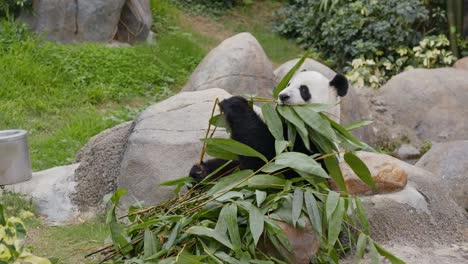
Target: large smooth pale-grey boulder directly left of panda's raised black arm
<point>164,144</point>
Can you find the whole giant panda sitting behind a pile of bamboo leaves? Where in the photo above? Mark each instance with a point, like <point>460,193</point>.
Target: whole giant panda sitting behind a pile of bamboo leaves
<point>248,128</point>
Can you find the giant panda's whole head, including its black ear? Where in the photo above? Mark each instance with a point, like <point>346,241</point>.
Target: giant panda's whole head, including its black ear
<point>313,87</point>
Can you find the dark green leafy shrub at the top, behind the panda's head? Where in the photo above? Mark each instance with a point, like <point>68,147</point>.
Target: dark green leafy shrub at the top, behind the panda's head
<point>351,29</point>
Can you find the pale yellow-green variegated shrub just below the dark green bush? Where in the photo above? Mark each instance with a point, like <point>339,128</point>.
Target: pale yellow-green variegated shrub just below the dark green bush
<point>432,51</point>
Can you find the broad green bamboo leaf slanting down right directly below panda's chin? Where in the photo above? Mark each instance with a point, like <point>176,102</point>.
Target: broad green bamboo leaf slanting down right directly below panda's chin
<point>316,121</point>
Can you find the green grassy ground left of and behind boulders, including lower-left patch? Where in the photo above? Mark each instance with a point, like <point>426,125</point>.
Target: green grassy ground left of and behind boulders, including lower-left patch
<point>65,94</point>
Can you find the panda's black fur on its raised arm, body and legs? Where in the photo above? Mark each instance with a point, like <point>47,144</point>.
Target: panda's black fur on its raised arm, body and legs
<point>247,128</point>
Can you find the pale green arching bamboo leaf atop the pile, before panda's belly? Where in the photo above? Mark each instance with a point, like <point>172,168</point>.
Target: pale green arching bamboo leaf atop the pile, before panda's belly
<point>302,162</point>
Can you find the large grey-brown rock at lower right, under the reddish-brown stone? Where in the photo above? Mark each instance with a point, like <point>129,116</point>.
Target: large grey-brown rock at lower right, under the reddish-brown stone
<point>421,215</point>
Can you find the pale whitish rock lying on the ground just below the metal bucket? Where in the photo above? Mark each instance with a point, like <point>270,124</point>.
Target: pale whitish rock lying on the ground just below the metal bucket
<point>51,190</point>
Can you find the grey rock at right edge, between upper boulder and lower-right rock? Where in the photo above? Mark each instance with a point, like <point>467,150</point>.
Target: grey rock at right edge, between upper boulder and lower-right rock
<point>448,162</point>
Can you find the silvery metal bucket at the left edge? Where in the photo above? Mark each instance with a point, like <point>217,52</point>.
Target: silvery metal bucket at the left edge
<point>15,165</point>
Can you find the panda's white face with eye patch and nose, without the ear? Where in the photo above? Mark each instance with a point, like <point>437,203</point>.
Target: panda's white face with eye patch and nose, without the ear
<point>305,88</point>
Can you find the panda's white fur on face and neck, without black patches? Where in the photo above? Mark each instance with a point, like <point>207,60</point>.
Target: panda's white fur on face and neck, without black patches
<point>319,89</point>
